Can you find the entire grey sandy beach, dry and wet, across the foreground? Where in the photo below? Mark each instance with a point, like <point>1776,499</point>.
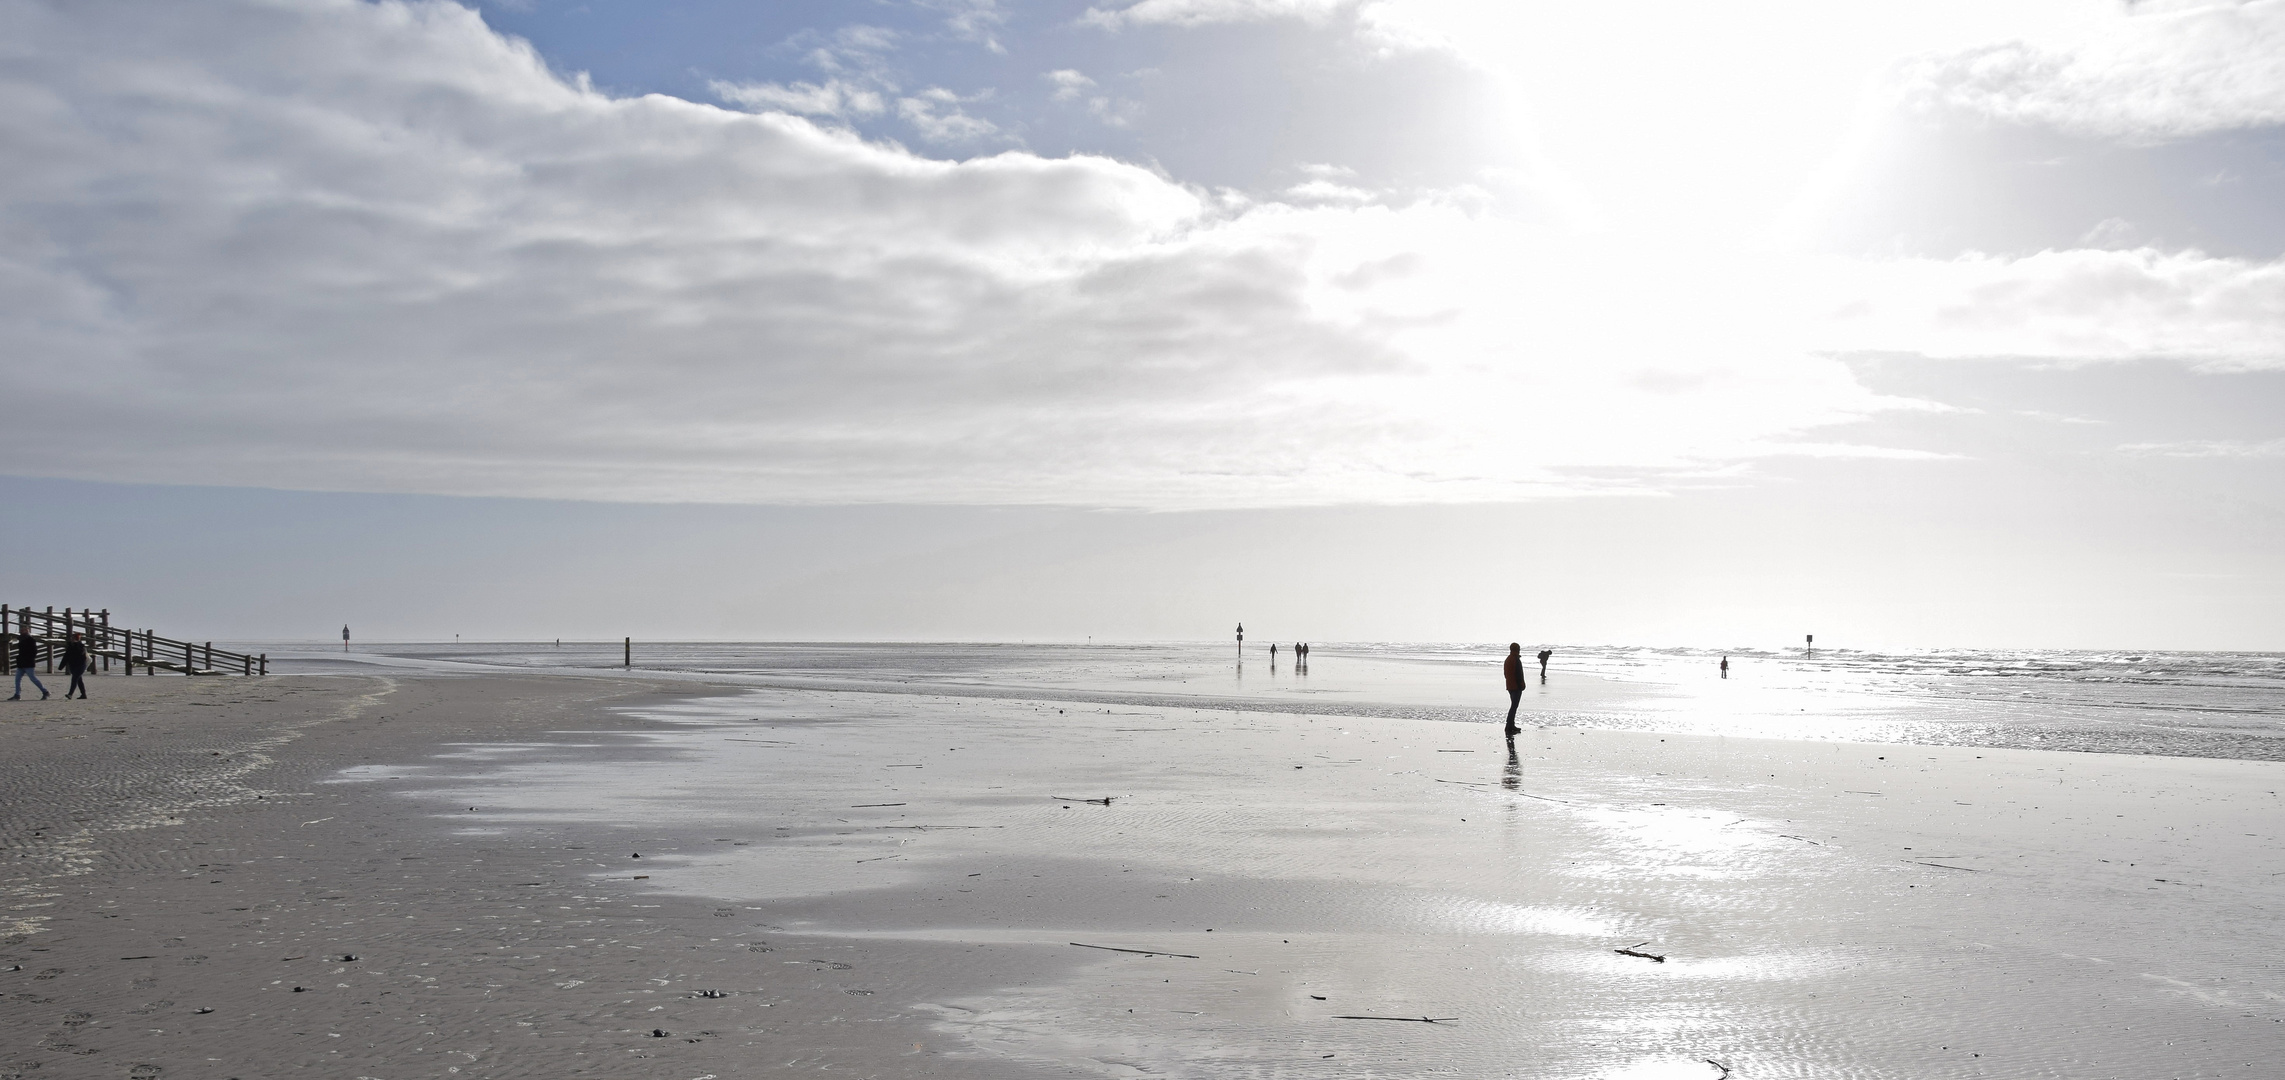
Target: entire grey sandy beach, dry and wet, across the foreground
<point>904,885</point>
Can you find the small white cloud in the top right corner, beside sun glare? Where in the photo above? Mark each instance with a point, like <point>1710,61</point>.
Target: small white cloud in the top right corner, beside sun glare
<point>2163,72</point>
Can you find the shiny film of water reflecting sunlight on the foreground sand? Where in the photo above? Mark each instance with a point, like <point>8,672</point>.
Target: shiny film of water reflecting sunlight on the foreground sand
<point>1825,910</point>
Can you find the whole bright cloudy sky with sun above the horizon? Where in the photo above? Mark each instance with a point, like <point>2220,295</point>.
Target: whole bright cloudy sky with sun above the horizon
<point>1898,323</point>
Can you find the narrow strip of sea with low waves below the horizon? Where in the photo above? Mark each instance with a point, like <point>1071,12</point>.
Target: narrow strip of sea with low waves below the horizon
<point>2176,704</point>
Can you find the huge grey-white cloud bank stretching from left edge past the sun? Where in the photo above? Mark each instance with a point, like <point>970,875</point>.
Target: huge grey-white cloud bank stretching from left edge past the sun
<point>378,248</point>
